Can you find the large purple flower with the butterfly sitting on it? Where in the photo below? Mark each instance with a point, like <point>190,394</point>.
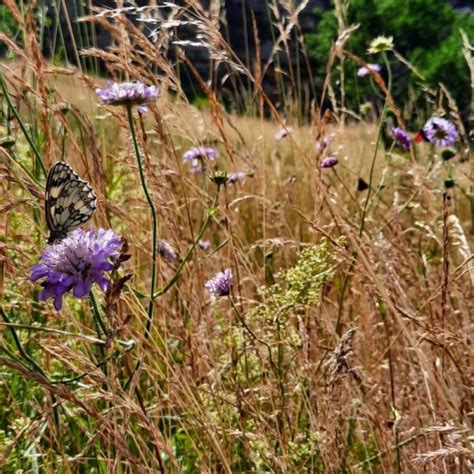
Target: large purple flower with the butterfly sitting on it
<point>76,263</point>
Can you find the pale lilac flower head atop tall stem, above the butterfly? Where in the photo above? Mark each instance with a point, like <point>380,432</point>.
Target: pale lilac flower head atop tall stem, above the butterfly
<point>128,94</point>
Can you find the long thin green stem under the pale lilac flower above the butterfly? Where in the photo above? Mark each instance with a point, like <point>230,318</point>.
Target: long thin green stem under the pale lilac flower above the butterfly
<point>154,223</point>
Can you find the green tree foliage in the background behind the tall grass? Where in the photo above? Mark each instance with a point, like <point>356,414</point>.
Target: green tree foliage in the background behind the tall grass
<point>426,32</point>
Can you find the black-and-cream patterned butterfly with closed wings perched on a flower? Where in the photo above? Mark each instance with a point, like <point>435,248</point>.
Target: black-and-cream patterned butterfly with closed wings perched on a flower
<point>69,201</point>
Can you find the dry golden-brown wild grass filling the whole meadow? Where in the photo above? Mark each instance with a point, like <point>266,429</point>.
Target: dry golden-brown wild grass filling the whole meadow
<point>312,313</point>
